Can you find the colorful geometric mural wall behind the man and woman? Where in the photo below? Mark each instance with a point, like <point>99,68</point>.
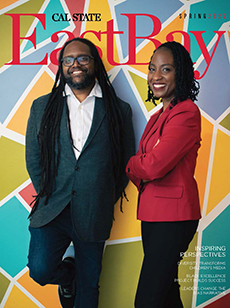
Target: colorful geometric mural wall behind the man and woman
<point>203,27</point>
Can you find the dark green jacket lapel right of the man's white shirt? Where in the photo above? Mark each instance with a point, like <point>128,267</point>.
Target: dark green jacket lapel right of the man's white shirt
<point>98,116</point>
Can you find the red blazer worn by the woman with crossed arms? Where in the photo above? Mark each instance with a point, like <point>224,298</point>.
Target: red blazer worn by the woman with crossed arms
<point>167,158</point>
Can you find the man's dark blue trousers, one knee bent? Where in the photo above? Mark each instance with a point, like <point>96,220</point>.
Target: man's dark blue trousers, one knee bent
<point>47,247</point>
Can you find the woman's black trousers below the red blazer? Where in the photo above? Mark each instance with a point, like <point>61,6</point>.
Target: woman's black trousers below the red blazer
<point>163,243</point>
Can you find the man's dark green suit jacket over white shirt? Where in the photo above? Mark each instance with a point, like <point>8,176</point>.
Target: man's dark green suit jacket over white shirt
<point>87,183</point>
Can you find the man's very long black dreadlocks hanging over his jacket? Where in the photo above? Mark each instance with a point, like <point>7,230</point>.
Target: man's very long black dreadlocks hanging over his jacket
<point>49,134</point>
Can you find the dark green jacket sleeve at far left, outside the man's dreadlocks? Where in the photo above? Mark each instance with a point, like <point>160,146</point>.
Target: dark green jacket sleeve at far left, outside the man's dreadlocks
<point>32,149</point>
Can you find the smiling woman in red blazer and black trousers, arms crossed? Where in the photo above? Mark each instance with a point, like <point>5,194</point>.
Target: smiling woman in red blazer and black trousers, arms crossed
<point>163,171</point>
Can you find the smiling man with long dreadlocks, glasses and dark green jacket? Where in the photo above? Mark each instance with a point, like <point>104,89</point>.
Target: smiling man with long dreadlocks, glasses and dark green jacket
<point>78,141</point>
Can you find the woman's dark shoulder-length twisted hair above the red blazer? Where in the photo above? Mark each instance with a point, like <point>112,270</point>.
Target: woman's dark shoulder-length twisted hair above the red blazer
<point>186,85</point>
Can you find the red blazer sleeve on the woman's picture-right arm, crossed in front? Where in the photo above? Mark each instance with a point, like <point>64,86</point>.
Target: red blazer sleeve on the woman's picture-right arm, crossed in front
<point>180,133</point>
